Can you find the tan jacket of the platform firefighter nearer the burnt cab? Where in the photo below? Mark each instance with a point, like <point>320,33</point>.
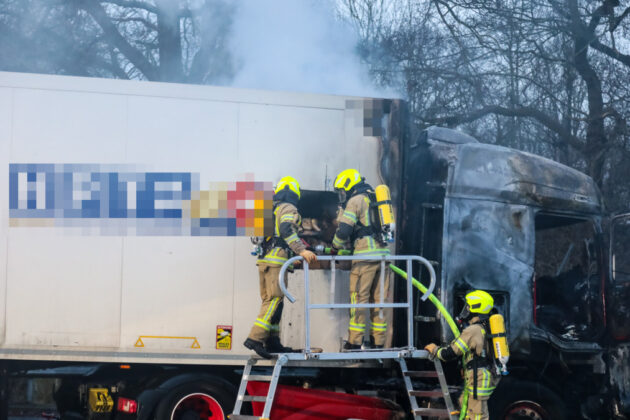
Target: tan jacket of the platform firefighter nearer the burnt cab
<point>353,220</point>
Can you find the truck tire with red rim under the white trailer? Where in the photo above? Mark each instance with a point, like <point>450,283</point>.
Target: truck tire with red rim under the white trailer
<point>199,400</point>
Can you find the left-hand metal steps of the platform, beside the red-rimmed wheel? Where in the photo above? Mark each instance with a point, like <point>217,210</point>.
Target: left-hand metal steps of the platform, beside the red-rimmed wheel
<point>271,392</point>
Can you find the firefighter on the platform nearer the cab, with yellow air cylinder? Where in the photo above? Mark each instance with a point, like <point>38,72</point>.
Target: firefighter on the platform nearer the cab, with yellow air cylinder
<point>355,230</point>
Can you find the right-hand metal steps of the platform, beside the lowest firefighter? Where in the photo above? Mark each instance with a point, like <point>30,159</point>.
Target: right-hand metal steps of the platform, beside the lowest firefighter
<point>443,392</point>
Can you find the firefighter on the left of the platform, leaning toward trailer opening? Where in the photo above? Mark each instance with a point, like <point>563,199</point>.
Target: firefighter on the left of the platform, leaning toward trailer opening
<point>264,337</point>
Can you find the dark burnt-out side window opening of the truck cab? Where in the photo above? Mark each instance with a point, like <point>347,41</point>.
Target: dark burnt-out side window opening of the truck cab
<point>567,277</point>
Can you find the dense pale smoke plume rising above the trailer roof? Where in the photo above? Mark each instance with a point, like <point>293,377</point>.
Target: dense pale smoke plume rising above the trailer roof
<point>297,45</point>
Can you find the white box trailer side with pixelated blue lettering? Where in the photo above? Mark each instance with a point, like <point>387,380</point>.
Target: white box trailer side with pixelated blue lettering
<point>127,211</point>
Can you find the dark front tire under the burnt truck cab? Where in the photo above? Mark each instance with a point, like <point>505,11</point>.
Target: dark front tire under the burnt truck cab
<point>524,400</point>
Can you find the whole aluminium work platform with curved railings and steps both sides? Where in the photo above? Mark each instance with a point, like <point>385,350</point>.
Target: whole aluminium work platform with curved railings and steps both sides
<point>400,355</point>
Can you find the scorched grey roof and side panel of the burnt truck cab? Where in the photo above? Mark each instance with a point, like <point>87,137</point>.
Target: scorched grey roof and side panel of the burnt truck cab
<point>491,198</point>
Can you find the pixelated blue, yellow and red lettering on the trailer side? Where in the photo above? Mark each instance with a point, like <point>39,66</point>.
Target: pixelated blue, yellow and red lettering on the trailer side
<point>124,200</point>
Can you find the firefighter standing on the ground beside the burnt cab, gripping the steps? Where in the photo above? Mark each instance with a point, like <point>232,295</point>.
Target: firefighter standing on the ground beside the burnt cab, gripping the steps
<point>479,376</point>
